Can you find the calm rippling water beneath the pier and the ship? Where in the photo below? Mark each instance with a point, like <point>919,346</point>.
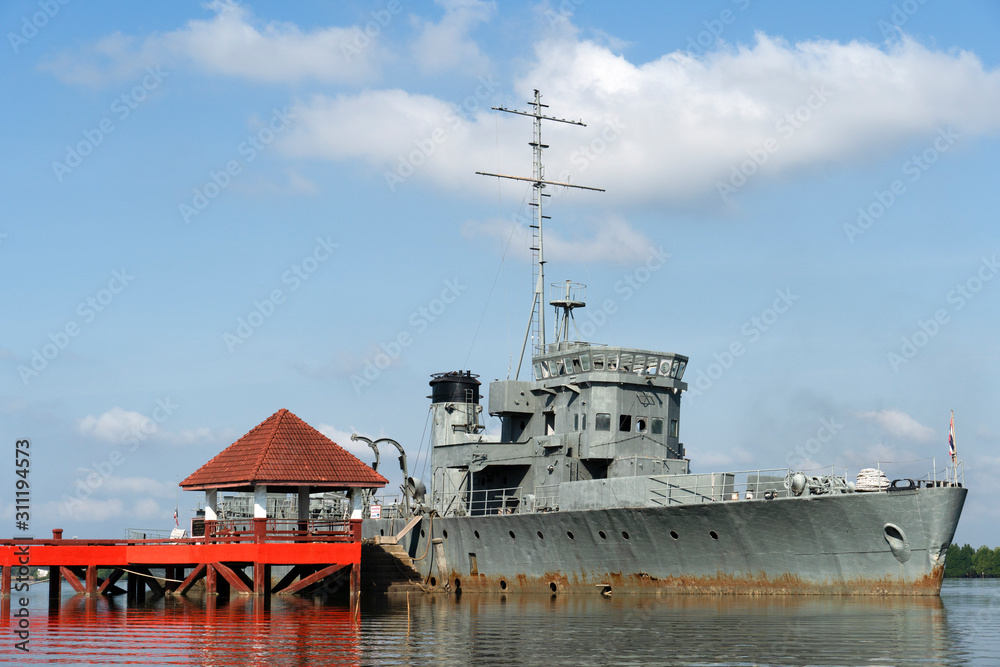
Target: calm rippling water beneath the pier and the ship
<point>960,628</point>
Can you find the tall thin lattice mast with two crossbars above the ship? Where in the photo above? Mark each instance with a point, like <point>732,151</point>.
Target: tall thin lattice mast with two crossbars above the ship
<point>536,322</point>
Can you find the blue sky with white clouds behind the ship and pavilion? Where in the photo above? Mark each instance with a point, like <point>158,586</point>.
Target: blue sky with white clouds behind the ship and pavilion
<point>214,211</point>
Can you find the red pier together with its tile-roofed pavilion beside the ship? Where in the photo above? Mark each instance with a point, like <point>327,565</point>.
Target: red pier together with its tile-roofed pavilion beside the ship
<point>281,455</point>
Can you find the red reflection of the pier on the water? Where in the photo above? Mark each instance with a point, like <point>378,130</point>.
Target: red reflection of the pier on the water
<point>201,631</point>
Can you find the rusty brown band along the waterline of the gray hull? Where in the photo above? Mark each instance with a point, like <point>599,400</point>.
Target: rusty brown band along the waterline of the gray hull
<point>719,584</point>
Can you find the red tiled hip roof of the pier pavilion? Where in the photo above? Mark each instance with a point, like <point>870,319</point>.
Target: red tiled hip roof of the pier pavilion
<point>283,450</point>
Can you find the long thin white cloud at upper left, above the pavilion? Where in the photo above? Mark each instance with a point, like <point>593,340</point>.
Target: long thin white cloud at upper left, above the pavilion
<point>231,43</point>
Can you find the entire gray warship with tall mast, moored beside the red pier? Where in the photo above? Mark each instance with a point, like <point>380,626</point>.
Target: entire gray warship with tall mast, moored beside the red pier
<point>588,488</point>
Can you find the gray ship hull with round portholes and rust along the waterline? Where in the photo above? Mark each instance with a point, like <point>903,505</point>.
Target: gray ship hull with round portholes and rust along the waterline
<point>843,544</point>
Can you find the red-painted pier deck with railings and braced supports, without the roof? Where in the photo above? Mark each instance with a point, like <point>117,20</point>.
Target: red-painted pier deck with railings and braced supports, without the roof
<point>230,558</point>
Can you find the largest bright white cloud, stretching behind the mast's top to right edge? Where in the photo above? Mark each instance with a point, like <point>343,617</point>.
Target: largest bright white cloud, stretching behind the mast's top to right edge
<point>672,129</point>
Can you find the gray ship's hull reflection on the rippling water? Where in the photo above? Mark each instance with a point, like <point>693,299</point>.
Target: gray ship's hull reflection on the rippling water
<point>685,630</point>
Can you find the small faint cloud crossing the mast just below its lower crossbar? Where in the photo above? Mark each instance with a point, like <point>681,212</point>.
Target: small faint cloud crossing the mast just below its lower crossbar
<point>614,241</point>
